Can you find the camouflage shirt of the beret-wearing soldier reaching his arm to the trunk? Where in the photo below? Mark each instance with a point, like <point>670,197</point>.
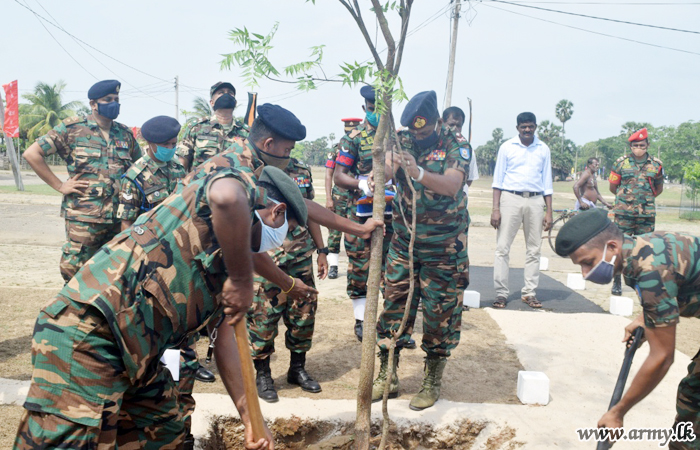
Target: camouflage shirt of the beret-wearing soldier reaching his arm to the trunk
<point>298,244</point>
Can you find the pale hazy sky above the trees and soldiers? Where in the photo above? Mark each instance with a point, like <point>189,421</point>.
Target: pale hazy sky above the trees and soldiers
<point>506,62</point>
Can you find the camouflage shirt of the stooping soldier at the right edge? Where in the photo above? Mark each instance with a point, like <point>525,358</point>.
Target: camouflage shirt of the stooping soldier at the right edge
<point>664,269</point>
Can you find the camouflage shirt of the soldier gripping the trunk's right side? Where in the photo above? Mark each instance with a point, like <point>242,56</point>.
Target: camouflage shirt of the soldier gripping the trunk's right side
<point>439,219</point>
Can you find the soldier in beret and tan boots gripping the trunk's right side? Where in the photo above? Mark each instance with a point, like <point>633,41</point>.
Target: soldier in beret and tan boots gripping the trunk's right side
<point>437,165</point>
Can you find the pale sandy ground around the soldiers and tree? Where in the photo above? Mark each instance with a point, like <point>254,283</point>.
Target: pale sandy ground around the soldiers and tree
<point>579,352</point>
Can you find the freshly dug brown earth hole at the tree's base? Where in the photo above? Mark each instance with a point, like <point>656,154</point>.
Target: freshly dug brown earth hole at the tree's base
<point>227,433</point>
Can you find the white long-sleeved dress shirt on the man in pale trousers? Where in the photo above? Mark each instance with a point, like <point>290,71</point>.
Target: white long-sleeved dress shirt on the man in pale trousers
<point>523,169</point>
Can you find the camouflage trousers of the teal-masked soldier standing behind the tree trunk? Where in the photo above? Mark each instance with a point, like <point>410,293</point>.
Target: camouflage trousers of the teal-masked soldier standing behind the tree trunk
<point>358,251</point>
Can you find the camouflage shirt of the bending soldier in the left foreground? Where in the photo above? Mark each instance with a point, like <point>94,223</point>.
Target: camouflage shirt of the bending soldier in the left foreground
<point>157,282</point>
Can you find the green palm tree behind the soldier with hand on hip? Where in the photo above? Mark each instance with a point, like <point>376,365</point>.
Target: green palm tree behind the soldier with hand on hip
<point>45,109</point>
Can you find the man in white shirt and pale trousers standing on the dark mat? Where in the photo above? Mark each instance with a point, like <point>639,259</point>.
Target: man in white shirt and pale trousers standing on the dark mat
<point>522,186</point>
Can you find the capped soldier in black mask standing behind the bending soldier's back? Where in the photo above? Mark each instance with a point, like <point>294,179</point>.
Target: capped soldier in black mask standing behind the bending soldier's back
<point>209,136</point>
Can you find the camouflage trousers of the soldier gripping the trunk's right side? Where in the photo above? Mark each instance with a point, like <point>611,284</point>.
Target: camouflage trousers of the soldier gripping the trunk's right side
<point>440,277</point>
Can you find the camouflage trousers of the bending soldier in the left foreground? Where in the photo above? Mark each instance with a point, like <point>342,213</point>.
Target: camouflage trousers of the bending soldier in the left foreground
<point>80,396</point>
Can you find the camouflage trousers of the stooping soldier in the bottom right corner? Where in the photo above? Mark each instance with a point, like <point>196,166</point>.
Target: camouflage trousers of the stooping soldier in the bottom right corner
<point>688,404</point>
